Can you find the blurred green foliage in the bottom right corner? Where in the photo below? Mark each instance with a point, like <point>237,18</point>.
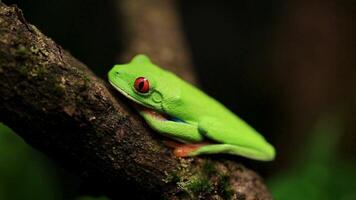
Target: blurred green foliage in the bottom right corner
<point>319,173</point>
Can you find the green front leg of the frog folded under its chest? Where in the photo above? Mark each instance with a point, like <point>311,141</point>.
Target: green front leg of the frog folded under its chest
<point>178,130</point>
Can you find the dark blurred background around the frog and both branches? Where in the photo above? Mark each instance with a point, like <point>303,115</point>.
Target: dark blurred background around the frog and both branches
<point>286,67</point>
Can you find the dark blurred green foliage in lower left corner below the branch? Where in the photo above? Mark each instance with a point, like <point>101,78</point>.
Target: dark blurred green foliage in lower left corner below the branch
<point>24,172</point>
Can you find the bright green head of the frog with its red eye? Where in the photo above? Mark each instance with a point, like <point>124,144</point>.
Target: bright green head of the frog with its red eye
<point>142,81</point>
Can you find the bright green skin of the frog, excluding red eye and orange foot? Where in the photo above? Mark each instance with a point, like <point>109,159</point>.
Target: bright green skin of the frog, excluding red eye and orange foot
<point>181,111</point>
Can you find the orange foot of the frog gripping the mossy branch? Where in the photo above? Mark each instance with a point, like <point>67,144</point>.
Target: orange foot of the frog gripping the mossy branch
<point>184,150</point>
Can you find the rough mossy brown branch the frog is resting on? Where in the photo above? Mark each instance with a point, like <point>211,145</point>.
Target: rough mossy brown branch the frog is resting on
<point>58,106</point>
